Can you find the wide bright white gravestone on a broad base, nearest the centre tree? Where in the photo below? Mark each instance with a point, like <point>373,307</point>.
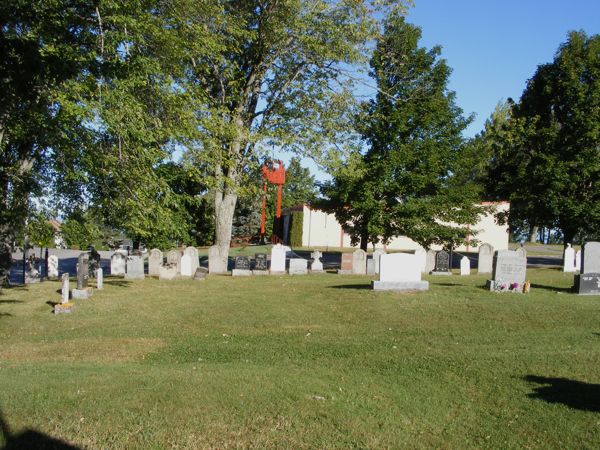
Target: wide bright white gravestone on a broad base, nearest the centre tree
<point>399,272</point>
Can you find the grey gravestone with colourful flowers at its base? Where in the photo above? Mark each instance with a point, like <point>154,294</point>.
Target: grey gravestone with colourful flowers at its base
<point>509,272</point>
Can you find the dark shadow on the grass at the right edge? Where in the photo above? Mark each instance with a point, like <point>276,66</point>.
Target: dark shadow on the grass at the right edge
<point>574,394</point>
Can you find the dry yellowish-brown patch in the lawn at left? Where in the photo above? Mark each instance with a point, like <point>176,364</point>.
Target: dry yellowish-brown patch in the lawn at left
<point>88,349</point>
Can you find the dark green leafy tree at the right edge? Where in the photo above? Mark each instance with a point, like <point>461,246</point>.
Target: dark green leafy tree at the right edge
<point>549,162</point>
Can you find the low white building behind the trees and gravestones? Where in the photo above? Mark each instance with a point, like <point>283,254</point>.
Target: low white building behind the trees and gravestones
<point>320,229</point>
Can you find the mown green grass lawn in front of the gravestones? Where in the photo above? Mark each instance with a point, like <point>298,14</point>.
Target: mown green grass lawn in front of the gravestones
<point>304,362</point>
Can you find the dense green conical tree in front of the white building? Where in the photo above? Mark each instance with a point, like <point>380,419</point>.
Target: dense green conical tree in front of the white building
<point>404,184</point>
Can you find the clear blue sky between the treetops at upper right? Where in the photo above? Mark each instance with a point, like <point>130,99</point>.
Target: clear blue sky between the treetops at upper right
<point>495,46</point>
